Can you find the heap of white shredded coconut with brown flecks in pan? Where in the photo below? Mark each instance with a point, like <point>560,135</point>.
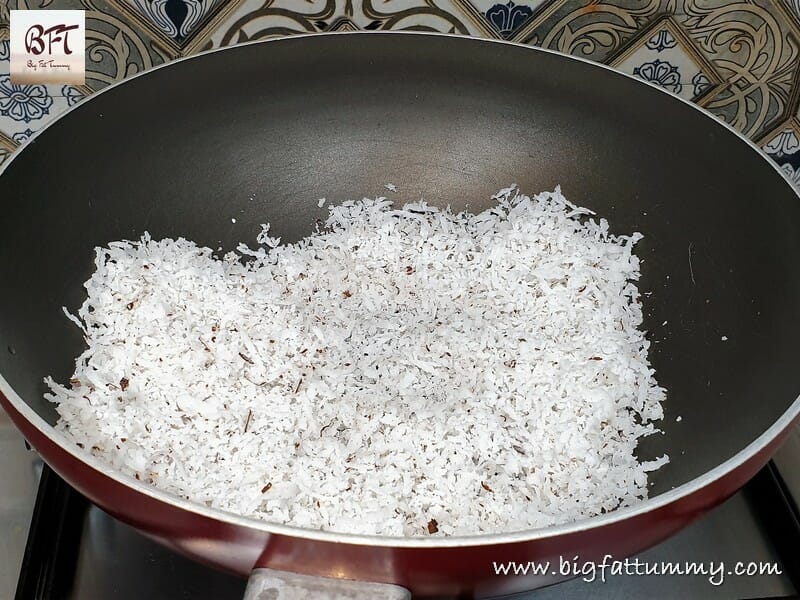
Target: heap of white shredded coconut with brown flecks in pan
<point>402,371</point>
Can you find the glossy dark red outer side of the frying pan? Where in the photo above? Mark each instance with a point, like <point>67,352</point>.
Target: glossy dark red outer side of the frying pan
<point>463,572</point>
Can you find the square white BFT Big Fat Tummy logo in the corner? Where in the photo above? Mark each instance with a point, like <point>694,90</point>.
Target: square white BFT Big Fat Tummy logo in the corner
<point>48,46</point>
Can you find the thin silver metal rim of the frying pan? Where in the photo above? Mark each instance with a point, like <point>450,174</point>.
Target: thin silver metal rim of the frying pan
<point>651,504</point>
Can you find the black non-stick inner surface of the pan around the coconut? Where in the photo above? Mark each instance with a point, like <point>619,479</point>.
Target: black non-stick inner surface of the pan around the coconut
<point>260,132</point>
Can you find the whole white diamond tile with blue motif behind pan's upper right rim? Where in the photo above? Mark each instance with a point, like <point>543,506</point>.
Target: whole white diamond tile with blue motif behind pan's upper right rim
<point>661,57</point>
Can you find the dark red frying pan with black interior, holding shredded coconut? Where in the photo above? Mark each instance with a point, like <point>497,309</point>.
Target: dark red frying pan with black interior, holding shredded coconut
<point>259,132</point>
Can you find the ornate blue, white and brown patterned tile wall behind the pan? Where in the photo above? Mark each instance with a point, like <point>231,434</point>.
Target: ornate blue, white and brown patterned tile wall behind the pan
<point>740,59</point>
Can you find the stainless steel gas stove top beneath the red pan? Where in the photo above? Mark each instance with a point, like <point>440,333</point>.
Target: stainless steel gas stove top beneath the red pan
<point>73,550</point>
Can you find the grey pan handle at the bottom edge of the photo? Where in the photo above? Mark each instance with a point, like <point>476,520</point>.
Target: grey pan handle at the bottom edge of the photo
<point>268,584</point>
